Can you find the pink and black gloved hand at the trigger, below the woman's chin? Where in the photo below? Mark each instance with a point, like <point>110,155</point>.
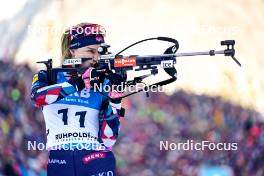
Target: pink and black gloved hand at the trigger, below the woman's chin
<point>91,77</point>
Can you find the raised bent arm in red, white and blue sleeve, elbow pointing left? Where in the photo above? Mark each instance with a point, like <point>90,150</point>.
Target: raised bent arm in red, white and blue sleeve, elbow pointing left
<point>43,94</point>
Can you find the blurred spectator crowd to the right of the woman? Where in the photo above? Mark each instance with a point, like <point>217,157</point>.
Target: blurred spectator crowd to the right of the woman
<point>183,116</point>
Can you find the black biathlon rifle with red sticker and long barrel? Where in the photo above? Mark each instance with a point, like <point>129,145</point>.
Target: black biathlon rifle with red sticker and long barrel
<point>120,64</point>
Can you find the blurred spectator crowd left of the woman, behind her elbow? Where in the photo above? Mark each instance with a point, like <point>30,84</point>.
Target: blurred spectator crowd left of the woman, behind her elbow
<point>20,122</point>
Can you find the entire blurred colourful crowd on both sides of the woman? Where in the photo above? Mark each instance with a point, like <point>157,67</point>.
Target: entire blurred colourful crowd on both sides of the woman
<point>175,118</point>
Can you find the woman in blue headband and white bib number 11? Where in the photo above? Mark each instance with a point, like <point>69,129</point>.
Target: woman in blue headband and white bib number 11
<point>81,124</point>
